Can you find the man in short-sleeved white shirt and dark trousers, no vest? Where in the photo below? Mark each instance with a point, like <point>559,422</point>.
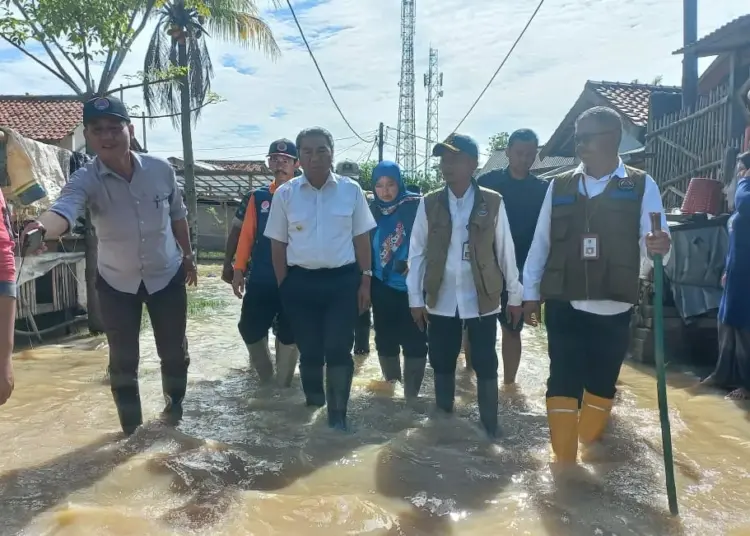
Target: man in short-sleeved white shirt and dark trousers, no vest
<point>319,228</point>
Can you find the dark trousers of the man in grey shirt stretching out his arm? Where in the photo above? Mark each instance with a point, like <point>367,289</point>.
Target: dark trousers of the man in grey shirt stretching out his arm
<point>121,316</point>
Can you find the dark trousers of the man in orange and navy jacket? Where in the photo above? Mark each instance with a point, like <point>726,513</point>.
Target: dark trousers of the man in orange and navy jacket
<point>261,306</point>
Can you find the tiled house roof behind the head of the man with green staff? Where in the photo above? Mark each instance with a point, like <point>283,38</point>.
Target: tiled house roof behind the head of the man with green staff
<point>631,100</point>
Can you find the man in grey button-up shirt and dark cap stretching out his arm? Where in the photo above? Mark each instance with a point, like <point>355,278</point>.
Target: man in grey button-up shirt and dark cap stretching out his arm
<point>144,253</point>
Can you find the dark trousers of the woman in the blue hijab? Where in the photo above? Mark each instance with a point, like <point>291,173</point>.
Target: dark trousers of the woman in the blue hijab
<point>395,329</point>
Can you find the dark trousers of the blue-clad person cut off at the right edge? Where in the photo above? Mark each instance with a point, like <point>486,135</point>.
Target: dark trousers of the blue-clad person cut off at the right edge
<point>733,366</point>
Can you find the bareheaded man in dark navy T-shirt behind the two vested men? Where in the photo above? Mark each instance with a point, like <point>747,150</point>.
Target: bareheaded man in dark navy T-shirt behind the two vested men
<point>523,194</point>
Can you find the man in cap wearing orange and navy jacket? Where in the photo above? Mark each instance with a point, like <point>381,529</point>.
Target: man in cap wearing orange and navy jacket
<point>261,304</point>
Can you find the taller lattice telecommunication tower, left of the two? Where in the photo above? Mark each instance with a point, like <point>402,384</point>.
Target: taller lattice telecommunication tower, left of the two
<point>406,141</point>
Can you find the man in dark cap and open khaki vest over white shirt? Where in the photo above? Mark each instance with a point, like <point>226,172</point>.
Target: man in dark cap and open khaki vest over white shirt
<point>461,250</point>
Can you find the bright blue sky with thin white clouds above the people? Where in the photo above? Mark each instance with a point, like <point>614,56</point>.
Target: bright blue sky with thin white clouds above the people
<point>358,46</point>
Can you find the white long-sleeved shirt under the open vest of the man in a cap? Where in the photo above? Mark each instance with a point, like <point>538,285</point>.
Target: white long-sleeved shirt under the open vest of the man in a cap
<point>458,291</point>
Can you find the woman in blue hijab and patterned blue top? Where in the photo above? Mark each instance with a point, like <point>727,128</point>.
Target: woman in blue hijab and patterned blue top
<point>394,209</point>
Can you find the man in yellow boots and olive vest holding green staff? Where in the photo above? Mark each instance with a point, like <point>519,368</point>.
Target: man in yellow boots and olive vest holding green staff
<point>584,261</point>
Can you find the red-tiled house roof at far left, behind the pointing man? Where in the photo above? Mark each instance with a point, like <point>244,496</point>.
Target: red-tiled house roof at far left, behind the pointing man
<point>41,118</point>
